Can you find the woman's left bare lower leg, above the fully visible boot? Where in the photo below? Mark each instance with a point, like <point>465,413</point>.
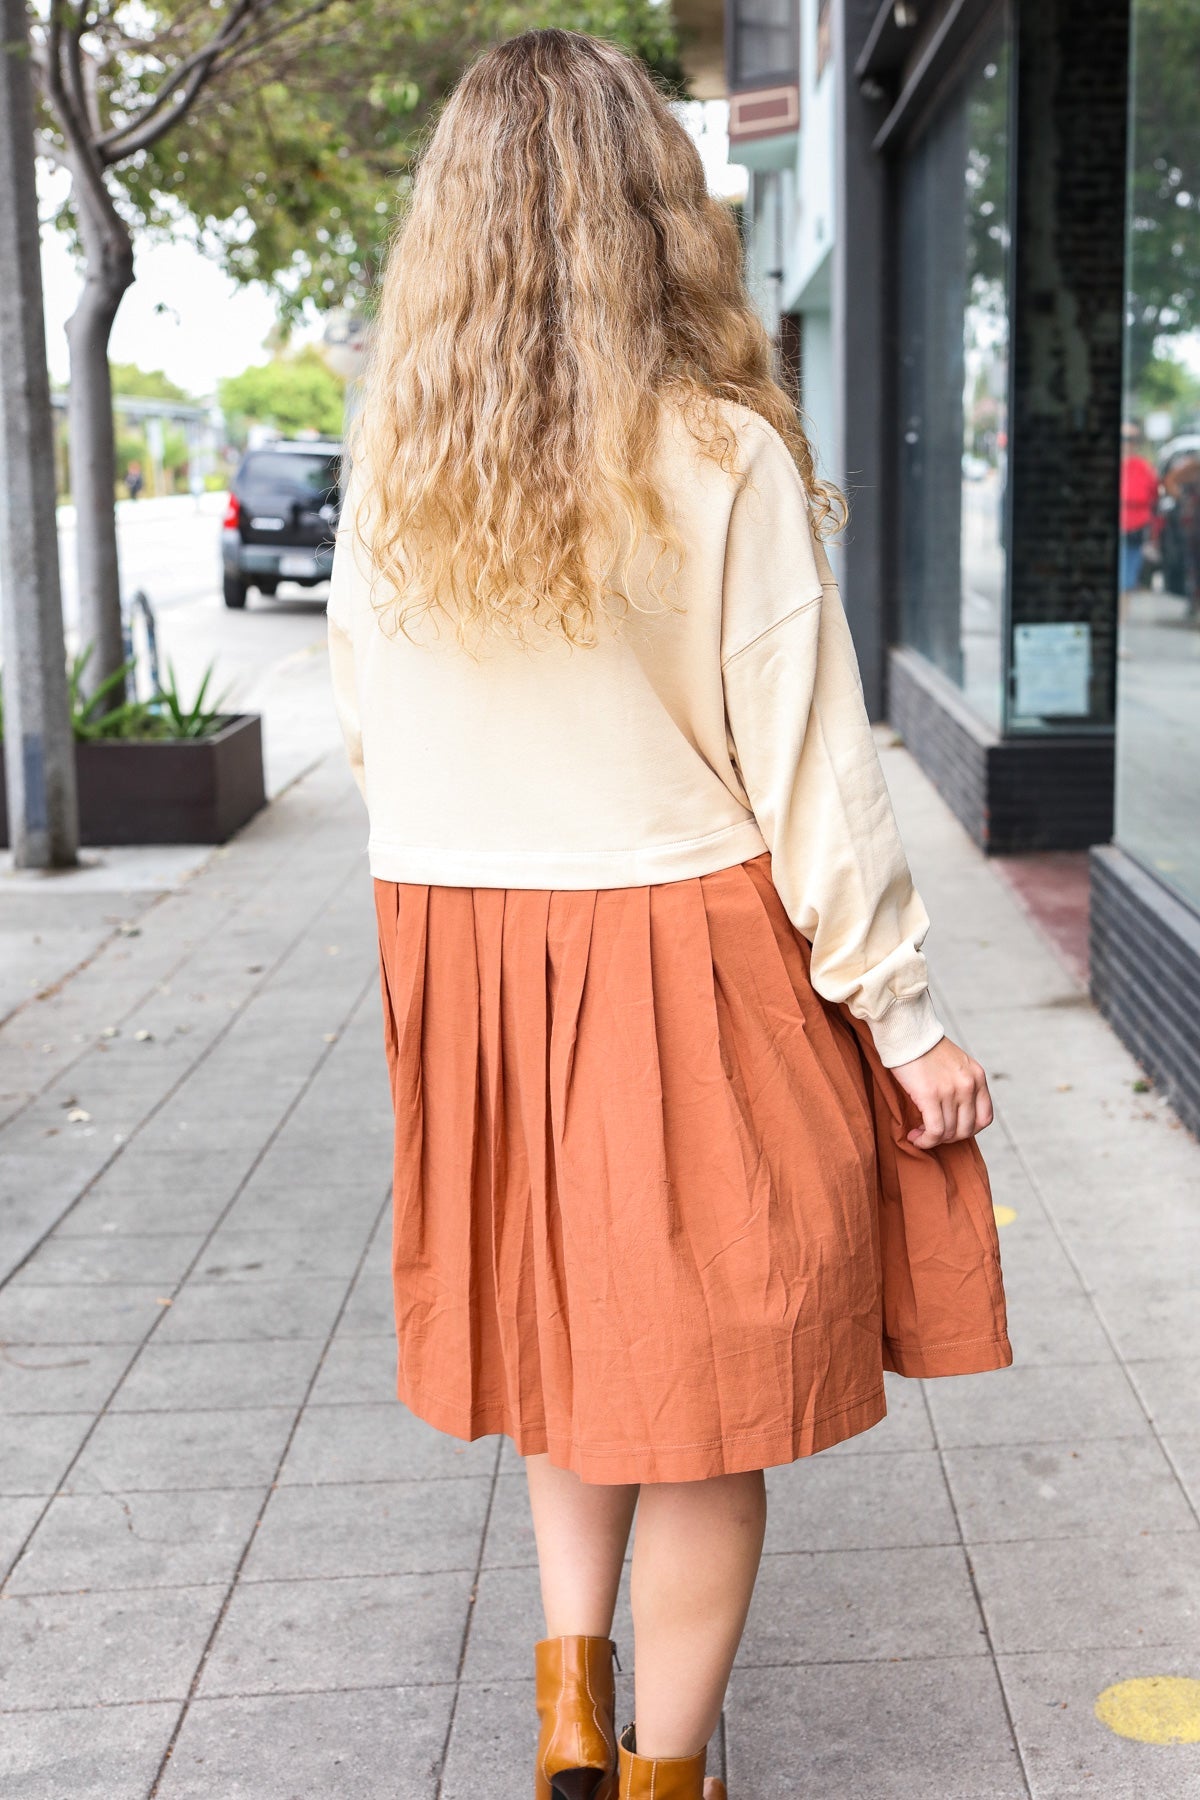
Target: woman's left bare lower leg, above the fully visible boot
<point>582,1533</point>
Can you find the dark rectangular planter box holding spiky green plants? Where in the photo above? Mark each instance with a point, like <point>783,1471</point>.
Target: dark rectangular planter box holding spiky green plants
<point>159,793</point>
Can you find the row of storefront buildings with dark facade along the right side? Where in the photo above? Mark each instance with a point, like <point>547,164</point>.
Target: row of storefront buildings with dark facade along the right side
<point>1014,289</point>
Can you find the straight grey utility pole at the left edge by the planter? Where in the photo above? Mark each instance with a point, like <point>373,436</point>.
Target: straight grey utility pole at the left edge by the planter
<point>39,751</point>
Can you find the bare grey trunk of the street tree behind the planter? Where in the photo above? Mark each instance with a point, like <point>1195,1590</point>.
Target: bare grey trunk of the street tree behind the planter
<point>109,271</point>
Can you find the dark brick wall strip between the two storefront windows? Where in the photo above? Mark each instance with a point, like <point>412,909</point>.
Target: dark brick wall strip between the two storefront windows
<point>1068,319</point>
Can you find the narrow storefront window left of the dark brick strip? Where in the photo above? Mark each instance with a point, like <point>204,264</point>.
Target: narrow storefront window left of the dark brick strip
<point>954,381</point>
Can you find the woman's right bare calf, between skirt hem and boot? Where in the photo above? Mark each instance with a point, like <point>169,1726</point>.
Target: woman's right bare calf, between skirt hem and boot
<point>695,1560</point>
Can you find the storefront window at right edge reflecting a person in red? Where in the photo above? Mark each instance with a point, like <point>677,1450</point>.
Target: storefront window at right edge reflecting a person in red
<point>1160,642</point>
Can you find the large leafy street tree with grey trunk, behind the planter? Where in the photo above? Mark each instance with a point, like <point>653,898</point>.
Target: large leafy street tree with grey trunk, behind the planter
<point>278,134</point>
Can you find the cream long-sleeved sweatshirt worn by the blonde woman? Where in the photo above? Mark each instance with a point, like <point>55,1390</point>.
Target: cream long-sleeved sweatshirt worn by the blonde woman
<point>685,742</point>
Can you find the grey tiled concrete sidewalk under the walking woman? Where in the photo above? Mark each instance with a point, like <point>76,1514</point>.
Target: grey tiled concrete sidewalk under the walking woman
<point>238,1569</point>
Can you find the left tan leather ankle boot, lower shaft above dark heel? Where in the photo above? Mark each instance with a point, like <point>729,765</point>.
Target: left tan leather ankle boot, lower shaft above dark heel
<point>578,1741</point>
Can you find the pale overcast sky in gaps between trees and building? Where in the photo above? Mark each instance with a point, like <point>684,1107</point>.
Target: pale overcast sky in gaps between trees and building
<point>188,319</point>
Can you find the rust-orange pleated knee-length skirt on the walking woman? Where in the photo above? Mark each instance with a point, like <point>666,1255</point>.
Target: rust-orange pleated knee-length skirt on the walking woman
<point>654,1209</point>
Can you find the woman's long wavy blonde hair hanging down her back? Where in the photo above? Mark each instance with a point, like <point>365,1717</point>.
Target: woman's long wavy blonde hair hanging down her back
<point>560,274</point>
